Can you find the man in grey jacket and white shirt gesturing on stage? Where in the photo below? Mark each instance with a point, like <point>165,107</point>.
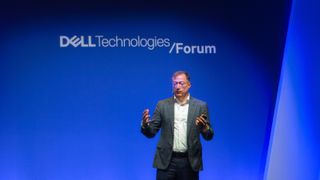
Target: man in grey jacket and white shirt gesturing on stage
<point>182,119</point>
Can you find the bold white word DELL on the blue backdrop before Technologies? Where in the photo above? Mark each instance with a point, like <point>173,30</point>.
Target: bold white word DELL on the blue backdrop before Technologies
<point>75,41</point>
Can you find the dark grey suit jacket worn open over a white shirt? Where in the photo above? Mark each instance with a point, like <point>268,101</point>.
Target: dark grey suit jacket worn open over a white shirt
<point>163,118</point>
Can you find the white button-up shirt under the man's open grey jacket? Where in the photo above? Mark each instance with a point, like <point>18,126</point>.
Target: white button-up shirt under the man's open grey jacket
<point>180,125</point>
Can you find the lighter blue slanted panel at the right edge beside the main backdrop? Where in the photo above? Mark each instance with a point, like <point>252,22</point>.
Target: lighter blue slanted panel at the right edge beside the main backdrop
<point>294,151</point>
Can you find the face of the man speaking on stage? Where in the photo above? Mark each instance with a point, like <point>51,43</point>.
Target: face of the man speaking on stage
<point>180,85</point>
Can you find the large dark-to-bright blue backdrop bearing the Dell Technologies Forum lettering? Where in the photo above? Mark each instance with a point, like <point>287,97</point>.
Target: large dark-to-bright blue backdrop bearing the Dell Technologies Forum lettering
<point>75,78</point>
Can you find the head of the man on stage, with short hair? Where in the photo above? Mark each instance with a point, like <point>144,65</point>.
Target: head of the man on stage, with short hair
<point>181,84</point>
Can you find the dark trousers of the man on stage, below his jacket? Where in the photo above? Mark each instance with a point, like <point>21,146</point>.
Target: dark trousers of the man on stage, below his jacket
<point>179,169</point>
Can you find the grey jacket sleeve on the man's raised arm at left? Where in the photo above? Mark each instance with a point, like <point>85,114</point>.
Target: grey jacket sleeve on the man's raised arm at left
<point>154,125</point>
